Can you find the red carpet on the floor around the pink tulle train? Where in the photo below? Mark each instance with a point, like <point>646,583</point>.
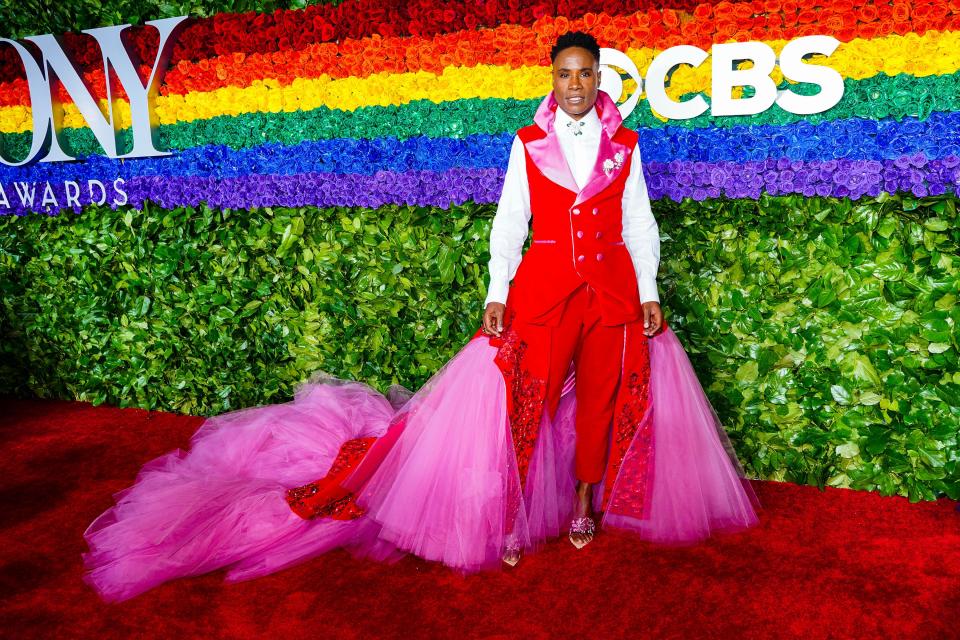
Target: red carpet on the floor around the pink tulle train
<point>839,564</point>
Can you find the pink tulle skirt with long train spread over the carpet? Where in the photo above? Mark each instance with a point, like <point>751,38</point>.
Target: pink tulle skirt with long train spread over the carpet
<point>446,490</point>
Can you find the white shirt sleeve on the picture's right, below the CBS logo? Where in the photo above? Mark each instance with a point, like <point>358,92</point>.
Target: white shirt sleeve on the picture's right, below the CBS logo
<point>640,232</point>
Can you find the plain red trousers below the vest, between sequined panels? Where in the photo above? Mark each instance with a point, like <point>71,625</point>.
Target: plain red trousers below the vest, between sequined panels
<point>596,353</point>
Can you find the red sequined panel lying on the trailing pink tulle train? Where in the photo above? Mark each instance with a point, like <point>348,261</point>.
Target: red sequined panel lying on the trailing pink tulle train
<point>325,498</point>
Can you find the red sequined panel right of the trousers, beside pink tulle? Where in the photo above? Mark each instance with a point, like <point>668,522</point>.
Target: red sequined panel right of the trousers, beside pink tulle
<point>632,435</point>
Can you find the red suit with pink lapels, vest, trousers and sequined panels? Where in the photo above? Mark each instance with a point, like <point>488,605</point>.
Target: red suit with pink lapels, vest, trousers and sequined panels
<point>574,301</point>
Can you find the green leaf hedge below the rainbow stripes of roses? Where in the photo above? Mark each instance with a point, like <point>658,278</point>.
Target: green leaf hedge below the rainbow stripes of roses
<point>825,331</point>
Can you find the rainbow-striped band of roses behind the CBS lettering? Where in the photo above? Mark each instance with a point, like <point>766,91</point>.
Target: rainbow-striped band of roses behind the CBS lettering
<point>417,105</point>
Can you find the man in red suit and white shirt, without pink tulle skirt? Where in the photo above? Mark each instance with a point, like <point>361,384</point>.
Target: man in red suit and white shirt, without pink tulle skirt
<point>585,293</point>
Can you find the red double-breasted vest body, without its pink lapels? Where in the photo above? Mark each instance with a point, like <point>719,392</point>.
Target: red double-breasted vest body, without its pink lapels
<point>573,244</point>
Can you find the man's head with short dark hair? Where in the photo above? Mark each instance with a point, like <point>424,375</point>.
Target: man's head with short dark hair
<point>576,72</point>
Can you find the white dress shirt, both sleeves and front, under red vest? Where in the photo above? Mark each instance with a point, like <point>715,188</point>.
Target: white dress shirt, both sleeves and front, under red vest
<point>511,224</point>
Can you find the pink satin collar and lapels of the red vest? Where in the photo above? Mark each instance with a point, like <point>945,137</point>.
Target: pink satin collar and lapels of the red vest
<point>548,156</point>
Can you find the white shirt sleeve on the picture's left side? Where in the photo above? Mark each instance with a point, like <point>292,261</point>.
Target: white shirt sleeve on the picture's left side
<point>511,224</point>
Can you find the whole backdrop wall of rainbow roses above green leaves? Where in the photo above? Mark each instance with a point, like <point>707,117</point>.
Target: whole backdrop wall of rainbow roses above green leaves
<point>335,170</point>
